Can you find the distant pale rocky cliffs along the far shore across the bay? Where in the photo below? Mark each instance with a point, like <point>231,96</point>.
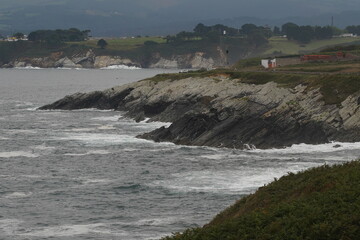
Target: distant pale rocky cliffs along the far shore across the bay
<point>196,60</point>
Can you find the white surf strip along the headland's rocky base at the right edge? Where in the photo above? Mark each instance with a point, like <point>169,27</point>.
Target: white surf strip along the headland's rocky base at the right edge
<point>309,148</point>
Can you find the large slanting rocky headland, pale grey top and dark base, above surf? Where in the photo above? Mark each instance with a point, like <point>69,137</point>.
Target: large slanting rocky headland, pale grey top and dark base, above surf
<point>223,112</point>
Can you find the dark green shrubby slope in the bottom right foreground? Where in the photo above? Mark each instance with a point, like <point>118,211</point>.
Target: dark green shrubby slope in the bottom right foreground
<point>320,203</point>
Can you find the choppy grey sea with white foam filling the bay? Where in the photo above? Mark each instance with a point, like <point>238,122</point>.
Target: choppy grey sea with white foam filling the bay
<point>84,175</point>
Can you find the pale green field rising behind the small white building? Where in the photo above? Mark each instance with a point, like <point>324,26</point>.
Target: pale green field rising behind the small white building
<point>283,46</point>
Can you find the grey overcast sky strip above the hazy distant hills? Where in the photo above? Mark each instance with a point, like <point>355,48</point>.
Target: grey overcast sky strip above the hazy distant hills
<point>203,8</point>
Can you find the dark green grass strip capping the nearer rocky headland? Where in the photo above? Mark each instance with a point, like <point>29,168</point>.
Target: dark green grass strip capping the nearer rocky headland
<point>335,88</point>
